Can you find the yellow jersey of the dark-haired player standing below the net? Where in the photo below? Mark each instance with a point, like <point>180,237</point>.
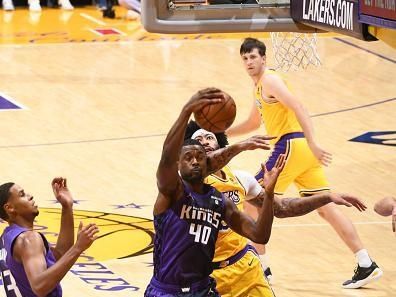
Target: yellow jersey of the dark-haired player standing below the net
<point>277,118</point>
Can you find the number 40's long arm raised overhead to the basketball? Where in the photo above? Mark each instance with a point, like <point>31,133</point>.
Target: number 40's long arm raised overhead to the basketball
<point>168,180</point>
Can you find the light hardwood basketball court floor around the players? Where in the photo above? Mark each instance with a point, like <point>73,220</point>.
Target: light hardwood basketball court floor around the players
<point>97,113</point>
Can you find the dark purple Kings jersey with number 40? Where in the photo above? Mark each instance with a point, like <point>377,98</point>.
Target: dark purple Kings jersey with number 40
<point>185,237</point>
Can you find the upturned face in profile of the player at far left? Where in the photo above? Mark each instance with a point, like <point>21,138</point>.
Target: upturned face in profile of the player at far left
<point>21,203</point>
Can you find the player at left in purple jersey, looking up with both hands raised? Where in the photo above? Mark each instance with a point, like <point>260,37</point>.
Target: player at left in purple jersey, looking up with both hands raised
<point>36,268</point>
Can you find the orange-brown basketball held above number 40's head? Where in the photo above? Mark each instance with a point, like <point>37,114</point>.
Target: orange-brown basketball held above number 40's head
<point>218,117</point>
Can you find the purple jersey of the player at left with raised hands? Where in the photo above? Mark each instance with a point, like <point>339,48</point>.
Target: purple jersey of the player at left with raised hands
<point>16,283</point>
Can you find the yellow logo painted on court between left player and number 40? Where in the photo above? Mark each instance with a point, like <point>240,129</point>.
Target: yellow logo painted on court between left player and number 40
<point>120,236</point>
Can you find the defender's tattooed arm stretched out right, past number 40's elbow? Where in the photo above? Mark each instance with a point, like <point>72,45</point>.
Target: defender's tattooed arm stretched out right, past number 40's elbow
<point>292,207</point>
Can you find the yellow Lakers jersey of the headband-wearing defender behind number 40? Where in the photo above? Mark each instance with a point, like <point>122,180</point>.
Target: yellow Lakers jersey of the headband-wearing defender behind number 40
<point>228,242</point>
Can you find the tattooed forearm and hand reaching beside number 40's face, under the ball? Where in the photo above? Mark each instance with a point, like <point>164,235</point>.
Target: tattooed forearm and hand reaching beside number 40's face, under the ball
<point>219,158</point>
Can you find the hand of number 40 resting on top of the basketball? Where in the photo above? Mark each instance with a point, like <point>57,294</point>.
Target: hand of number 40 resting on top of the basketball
<point>204,97</point>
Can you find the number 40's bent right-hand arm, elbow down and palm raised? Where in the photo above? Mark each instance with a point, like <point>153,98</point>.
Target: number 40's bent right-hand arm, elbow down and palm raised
<point>259,231</point>
